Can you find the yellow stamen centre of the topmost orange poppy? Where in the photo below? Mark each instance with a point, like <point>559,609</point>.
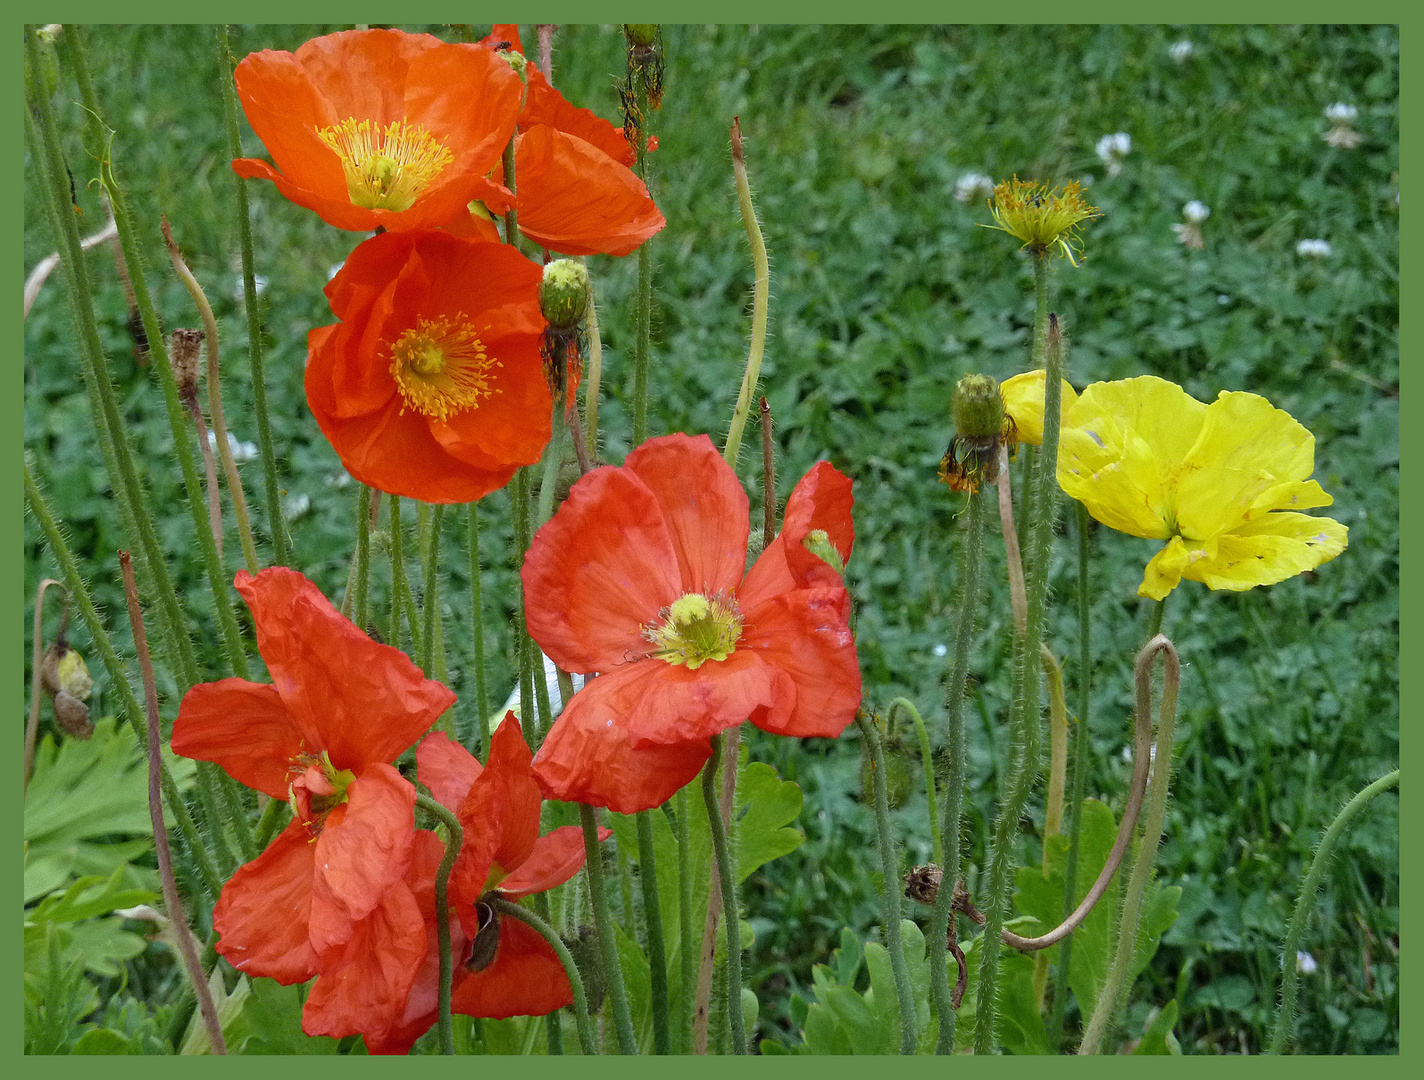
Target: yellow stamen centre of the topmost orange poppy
<point>387,169</point>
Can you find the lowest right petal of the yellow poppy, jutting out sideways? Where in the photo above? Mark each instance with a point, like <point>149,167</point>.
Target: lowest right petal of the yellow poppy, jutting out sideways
<point>1269,551</point>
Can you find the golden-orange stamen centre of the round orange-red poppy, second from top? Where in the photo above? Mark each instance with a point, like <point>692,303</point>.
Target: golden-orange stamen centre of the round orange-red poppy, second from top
<point>441,368</point>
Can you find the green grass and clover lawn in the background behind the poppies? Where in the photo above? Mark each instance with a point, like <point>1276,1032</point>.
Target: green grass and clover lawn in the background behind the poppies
<point>885,293</point>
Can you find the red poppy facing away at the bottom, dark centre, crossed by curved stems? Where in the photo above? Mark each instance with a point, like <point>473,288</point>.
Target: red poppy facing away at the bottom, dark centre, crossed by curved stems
<point>503,968</point>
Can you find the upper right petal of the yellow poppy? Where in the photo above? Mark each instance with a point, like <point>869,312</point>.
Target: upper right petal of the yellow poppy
<point>1248,458</point>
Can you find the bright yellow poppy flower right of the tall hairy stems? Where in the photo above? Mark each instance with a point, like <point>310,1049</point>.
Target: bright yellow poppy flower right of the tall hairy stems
<point>1223,484</point>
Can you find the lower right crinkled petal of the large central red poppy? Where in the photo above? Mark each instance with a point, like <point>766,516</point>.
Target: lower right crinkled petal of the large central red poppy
<point>807,639</point>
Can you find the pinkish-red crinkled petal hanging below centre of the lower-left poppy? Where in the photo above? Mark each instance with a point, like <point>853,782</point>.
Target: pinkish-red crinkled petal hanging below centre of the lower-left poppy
<point>364,848</point>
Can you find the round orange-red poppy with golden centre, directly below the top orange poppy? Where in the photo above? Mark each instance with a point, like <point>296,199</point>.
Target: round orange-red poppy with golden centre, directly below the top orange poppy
<point>432,384</point>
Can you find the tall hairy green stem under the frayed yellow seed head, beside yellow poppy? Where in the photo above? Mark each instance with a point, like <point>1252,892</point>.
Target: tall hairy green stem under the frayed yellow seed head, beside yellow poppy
<point>1025,710</point>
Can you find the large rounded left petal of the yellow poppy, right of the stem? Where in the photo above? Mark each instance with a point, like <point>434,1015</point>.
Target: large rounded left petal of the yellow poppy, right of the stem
<point>1121,450</point>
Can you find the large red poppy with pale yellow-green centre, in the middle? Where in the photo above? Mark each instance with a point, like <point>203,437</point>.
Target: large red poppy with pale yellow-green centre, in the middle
<point>640,578</point>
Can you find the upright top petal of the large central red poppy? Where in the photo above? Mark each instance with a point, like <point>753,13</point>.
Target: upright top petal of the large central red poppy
<point>704,505</point>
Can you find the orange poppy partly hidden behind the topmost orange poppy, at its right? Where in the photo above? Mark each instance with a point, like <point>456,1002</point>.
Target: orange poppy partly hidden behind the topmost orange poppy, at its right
<point>576,193</point>
